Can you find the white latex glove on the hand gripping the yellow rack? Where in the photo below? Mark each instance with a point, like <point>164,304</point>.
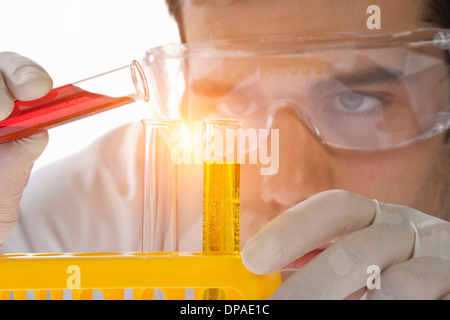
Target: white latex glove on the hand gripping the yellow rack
<point>411,250</point>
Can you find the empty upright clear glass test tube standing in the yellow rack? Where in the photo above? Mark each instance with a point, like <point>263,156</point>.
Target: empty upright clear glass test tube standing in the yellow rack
<point>160,195</point>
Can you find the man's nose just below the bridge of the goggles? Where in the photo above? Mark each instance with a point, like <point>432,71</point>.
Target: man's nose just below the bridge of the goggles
<point>304,163</point>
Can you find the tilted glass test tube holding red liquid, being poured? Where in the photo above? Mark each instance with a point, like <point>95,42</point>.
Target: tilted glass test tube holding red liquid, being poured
<point>75,101</point>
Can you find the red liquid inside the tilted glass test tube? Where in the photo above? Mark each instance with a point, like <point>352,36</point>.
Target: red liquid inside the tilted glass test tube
<point>61,105</point>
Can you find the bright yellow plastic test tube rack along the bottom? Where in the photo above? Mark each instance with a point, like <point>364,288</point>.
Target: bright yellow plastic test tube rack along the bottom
<point>112,273</point>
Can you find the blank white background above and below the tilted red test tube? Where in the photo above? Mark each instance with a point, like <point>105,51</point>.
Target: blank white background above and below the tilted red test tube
<point>76,39</point>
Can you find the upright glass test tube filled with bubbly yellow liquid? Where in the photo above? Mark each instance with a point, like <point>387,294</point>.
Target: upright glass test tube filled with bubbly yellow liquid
<point>221,190</point>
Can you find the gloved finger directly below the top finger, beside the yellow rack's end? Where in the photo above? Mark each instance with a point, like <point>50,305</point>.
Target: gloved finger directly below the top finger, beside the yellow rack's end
<point>342,268</point>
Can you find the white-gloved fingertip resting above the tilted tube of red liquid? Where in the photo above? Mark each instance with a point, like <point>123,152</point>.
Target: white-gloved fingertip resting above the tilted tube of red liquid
<point>25,79</point>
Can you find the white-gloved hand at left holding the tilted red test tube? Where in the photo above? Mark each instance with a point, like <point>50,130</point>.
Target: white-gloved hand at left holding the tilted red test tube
<point>21,79</point>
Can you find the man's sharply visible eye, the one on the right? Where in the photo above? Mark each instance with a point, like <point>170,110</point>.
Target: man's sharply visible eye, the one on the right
<point>351,101</point>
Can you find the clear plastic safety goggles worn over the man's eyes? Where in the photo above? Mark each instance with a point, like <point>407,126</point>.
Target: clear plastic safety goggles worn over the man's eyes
<point>357,91</point>
